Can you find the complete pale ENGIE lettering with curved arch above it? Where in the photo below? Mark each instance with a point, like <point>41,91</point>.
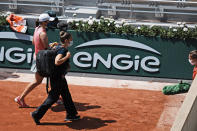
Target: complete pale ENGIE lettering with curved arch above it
<point>122,62</point>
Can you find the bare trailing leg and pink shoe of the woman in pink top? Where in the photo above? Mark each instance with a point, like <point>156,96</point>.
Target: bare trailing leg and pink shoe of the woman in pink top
<point>28,89</point>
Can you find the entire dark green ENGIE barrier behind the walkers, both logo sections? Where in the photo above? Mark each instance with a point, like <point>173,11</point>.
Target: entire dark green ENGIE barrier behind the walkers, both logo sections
<point>112,54</point>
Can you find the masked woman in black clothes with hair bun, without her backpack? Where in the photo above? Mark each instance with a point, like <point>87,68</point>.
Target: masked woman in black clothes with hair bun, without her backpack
<point>59,84</point>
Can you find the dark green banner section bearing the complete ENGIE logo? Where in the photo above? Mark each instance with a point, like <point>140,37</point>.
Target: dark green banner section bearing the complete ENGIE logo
<point>131,55</point>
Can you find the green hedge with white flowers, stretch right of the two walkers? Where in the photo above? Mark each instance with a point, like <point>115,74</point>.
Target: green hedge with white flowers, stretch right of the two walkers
<point>107,25</point>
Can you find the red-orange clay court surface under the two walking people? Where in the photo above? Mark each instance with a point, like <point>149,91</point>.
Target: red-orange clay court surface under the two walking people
<point>101,109</point>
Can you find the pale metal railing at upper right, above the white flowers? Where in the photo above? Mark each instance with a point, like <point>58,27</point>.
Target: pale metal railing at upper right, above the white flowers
<point>157,7</point>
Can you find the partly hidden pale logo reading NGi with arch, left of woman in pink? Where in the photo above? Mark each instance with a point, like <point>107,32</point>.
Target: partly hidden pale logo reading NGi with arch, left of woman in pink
<point>13,54</point>
